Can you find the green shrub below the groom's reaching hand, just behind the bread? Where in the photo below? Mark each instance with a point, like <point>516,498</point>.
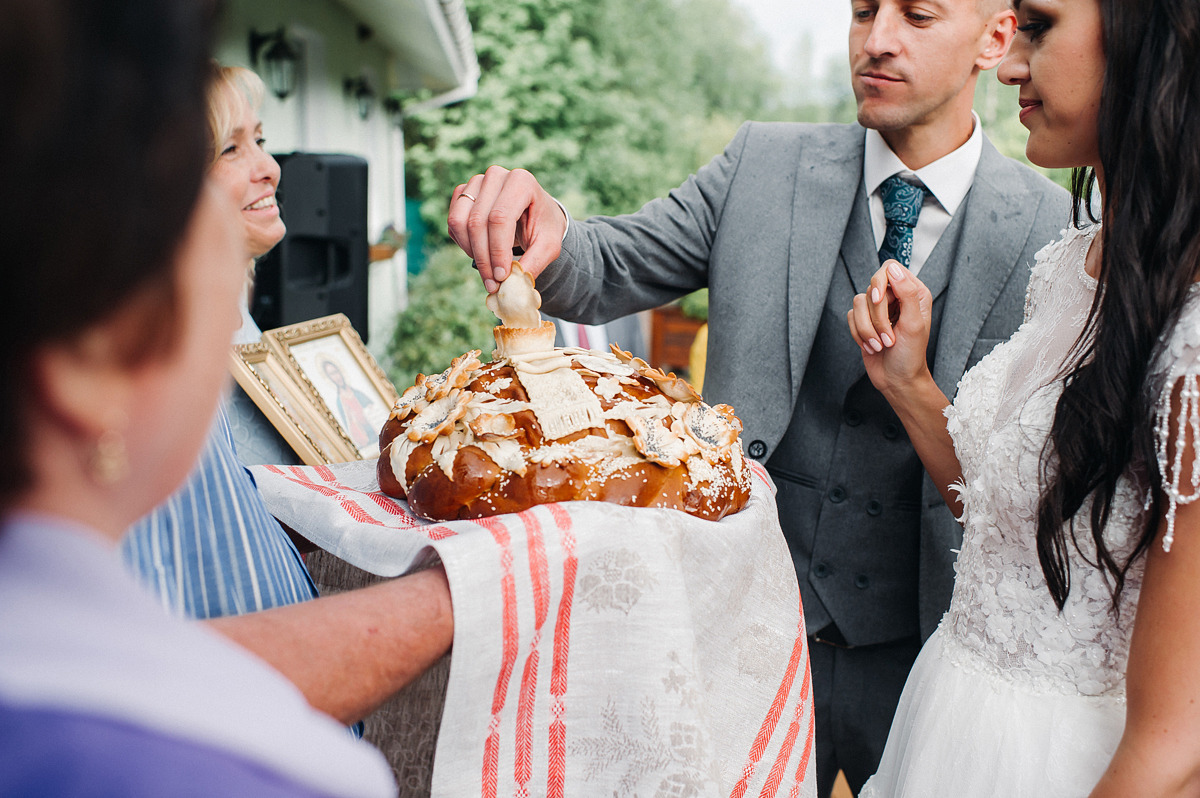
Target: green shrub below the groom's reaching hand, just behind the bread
<point>446,317</point>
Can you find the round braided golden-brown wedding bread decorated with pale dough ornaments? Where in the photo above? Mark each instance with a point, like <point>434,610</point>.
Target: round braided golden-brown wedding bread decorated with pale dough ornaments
<point>542,424</point>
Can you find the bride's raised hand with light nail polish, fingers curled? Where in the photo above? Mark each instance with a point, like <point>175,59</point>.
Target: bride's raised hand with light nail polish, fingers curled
<point>891,323</point>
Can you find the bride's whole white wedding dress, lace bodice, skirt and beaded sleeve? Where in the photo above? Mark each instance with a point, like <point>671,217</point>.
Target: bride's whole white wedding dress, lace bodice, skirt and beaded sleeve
<point>1011,697</point>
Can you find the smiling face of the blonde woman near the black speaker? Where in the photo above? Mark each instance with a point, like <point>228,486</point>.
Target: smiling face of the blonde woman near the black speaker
<point>249,175</point>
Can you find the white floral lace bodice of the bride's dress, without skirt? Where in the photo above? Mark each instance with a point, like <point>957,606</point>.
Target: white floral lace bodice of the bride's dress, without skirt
<point>1001,613</point>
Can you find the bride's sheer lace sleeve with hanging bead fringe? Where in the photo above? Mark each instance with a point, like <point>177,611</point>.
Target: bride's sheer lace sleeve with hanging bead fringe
<point>1177,374</point>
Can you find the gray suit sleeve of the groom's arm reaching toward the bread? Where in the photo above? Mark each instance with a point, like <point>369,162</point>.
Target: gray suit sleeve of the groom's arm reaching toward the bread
<point>615,266</point>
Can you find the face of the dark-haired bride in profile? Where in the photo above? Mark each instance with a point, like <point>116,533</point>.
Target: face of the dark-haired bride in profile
<point>1058,61</point>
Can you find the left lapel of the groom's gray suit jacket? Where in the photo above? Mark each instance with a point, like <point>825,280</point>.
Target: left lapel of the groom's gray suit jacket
<point>829,177</point>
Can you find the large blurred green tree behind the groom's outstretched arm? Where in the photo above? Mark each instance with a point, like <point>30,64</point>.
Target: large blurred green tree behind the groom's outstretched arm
<point>610,103</point>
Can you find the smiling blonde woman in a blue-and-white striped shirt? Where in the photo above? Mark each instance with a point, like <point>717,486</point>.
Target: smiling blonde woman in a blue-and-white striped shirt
<point>213,550</point>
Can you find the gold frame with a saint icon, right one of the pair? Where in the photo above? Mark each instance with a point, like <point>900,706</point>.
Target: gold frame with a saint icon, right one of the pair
<point>328,357</point>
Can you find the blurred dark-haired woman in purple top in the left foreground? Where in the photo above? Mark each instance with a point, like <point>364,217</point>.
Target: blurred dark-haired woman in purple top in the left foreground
<point>123,273</point>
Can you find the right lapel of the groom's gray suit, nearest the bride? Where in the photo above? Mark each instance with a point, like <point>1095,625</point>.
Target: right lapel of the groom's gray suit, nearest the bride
<point>998,215</point>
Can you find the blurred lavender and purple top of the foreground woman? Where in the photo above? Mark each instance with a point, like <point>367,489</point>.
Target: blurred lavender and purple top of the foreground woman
<point>103,693</point>
